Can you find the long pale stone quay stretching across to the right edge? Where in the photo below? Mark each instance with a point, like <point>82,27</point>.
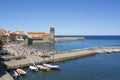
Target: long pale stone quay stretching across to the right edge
<point>59,56</point>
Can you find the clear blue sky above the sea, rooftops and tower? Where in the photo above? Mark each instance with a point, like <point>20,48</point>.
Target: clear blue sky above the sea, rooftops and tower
<point>69,17</point>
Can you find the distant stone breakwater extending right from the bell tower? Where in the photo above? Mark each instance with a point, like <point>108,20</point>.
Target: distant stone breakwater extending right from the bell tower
<point>61,39</point>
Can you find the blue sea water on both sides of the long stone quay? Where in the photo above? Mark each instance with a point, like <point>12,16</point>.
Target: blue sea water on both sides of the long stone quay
<point>97,67</point>
